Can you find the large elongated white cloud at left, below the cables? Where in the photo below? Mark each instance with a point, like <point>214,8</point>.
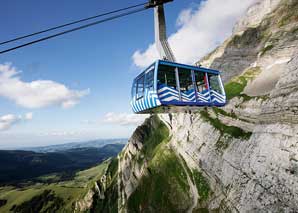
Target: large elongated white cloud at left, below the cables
<point>36,94</point>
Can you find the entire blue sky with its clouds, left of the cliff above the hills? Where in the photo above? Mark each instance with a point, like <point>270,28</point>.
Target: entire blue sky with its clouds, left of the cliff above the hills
<point>96,66</point>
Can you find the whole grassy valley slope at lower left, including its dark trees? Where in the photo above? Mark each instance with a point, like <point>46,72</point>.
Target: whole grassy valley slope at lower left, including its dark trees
<point>55,197</point>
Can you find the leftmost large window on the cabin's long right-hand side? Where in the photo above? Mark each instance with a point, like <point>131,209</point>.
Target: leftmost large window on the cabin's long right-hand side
<point>166,76</point>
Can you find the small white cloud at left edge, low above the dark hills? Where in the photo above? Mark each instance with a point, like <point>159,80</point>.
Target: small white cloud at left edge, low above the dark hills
<point>9,120</point>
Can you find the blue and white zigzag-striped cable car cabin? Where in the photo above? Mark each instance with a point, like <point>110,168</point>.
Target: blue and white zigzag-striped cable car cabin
<point>171,87</point>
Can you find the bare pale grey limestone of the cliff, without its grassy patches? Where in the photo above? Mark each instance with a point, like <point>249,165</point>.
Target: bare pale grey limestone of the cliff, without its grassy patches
<point>259,173</point>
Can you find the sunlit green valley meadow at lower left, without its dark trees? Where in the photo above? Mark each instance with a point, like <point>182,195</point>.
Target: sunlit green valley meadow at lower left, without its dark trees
<point>68,191</point>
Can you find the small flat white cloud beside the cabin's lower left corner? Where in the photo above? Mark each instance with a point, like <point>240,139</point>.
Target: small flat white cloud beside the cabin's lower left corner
<point>124,119</point>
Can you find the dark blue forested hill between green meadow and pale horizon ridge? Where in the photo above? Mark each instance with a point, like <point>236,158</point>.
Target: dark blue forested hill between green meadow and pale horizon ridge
<point>17,167</point>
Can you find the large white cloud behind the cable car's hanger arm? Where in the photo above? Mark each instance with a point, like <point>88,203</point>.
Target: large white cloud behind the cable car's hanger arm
<point>200,30</point>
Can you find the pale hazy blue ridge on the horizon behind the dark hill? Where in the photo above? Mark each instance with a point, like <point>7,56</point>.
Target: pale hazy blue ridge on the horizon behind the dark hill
<point>63,147</point>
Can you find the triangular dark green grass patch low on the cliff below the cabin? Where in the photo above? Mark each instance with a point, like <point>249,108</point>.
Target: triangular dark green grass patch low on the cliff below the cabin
<point>165,188</point>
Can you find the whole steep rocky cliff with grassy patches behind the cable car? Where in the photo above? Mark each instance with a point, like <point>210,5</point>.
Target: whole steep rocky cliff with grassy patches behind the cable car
<point>239,158</point>
